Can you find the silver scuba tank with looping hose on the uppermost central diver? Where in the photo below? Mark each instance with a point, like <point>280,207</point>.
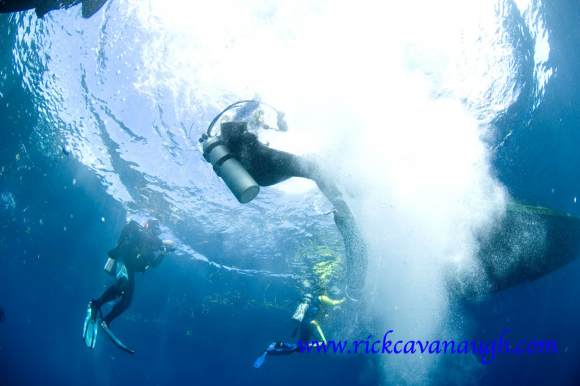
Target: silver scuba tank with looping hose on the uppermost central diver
<point>215,151</point>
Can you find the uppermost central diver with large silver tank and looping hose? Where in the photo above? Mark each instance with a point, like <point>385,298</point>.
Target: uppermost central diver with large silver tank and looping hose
<point>245,164</point>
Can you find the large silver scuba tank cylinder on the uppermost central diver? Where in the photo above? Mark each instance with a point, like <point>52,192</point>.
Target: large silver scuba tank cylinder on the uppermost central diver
<point>236,177</point>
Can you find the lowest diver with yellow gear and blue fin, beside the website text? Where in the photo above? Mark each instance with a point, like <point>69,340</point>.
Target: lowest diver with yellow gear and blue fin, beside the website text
<point>313,311</point>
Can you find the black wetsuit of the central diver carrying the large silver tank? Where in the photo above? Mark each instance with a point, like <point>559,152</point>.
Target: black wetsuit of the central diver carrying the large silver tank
<point>269,166</point>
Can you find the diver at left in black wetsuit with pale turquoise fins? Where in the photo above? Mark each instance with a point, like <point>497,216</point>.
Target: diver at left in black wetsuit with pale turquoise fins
<point>139,249</point>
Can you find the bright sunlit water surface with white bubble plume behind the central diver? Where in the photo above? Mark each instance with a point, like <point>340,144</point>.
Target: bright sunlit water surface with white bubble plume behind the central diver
<point>397,101</point>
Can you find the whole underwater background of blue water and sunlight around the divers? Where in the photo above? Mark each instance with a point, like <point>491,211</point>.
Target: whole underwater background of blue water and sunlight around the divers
<point>433,114</point>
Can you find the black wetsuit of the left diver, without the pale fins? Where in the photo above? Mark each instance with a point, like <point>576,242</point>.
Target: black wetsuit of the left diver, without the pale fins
<point>138,250</point>
